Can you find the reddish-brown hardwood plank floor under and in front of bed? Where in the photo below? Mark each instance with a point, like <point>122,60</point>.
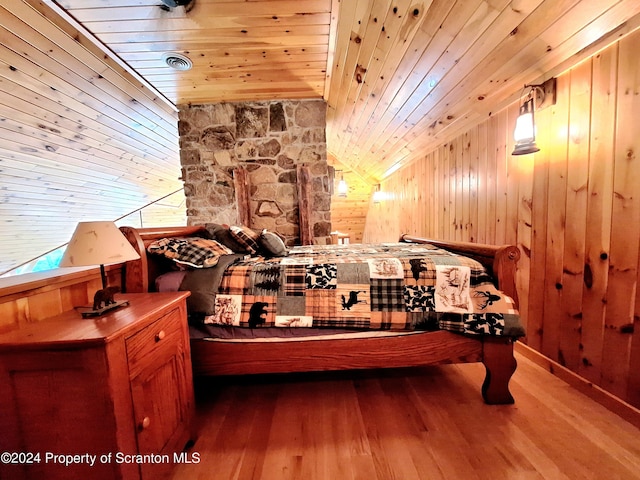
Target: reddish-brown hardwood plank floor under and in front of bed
<point>420,423</point>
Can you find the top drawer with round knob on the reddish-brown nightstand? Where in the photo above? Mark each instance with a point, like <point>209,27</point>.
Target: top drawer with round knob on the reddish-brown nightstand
<point>149,345</point>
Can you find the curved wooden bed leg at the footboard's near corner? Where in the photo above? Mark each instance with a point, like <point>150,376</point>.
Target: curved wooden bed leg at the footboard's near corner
<point>500,364</point>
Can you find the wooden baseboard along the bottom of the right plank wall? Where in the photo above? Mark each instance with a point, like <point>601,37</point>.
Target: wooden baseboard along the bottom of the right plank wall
<point>604,398</point>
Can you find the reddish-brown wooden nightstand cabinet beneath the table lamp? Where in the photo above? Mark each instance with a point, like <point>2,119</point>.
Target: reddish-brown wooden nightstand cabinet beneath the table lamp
<point>118,387</point>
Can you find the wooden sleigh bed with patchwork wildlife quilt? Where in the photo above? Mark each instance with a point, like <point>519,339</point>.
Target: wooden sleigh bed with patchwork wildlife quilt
<point>381,343</point>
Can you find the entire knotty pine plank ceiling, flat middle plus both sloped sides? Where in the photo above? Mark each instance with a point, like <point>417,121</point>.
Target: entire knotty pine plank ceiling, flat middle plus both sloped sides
<point>89,132</point>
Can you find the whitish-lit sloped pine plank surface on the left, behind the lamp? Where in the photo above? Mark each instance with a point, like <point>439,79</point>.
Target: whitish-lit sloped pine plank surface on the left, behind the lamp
<point>81,138</point>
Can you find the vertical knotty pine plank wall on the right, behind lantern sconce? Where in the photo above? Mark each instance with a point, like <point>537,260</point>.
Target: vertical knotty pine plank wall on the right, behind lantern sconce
<point>573,209</point>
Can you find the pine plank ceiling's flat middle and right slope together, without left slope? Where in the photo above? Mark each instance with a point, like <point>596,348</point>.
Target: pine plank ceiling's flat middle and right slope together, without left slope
<point>402,76</point>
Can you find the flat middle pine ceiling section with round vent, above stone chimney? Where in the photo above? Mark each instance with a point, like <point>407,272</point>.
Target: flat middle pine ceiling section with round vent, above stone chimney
<point>241,50</point>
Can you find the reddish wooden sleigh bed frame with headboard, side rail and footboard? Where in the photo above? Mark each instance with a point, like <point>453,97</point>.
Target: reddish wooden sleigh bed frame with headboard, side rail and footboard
<point>425,348</point>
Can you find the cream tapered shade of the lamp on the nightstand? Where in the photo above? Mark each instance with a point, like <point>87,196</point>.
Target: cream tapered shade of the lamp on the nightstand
<point>97,243</point>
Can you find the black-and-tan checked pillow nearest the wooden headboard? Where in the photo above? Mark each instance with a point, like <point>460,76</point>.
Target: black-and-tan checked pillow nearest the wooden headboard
<point>195,252</point>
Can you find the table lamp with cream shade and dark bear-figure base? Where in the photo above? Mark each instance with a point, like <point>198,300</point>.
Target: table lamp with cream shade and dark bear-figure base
<point>99,243</point>
